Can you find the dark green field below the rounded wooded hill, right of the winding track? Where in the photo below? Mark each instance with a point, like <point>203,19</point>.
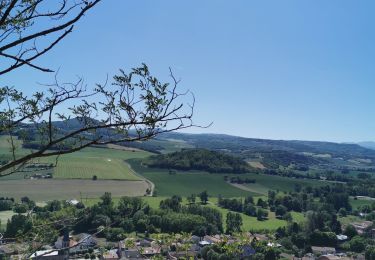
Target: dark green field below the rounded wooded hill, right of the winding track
<point>185,183</point>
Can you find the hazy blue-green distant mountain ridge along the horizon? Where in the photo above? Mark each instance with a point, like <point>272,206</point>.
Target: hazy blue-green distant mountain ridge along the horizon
<point>271,152</point>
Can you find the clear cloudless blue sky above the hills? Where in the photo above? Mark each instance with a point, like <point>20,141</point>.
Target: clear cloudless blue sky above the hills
<point>265,69</point>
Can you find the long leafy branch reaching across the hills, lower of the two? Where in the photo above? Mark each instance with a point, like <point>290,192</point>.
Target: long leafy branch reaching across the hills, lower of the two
<point>134,107</point>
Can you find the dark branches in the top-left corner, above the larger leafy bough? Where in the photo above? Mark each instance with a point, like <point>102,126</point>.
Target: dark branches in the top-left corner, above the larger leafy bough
<point>31,28</point>
